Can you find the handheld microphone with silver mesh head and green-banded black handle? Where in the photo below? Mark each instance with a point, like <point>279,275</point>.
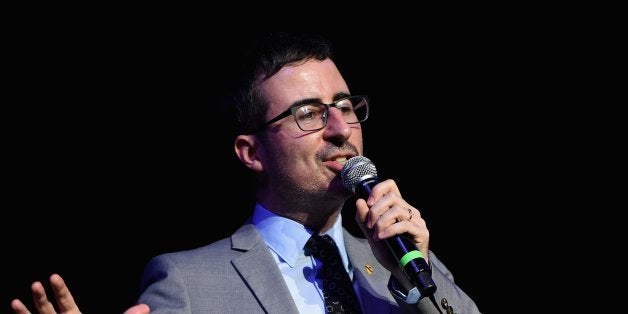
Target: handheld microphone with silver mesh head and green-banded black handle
<point>360,176</point>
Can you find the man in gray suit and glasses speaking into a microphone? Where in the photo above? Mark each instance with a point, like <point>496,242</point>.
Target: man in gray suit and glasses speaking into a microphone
<point>298,124</point>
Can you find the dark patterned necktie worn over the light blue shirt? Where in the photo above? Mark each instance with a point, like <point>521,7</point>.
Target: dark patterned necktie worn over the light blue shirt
<point>337,286</point>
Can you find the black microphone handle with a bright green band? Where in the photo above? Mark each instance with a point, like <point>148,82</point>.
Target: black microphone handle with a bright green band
<point>405,251</point>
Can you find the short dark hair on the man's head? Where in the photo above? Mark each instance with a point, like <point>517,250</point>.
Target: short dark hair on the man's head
<point>268,54</point>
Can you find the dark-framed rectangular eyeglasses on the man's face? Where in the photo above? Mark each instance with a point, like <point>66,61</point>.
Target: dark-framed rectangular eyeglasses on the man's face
<point>313,116</point>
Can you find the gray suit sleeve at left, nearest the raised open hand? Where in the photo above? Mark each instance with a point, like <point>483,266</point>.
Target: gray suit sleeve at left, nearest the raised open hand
<point>163,288</point>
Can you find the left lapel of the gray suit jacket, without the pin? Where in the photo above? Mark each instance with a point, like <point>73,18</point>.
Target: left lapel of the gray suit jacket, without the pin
<point>260,272</point>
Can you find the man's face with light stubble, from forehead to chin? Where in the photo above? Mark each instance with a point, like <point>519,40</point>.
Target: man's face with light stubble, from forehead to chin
<point>300,161</point>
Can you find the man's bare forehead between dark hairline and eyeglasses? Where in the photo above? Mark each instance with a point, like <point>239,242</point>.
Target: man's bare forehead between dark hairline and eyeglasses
<point>312,79</point>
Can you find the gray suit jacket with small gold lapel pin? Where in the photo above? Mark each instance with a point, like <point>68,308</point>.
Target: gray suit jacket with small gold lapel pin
<point>239,275</point>
